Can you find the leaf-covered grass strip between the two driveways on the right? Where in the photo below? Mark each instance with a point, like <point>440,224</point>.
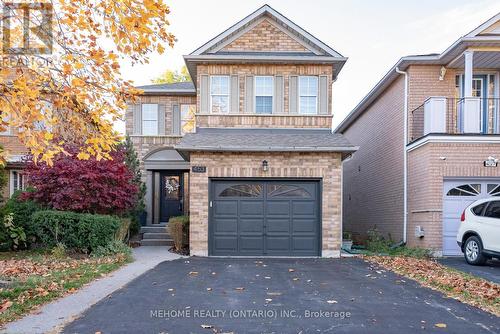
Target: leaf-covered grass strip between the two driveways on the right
<point>455,284</point>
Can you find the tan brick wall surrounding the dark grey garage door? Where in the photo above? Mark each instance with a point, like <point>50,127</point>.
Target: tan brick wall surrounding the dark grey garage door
<point>326,166</point>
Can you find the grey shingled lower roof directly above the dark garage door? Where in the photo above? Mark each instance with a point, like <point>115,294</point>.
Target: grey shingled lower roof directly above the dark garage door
<point>265,140</point>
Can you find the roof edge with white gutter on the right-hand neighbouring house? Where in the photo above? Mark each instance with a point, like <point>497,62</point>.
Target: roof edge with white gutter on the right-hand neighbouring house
<point>448,58</point>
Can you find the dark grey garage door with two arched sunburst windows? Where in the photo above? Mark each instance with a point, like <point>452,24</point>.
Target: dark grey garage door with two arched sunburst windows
<point>264,218</point>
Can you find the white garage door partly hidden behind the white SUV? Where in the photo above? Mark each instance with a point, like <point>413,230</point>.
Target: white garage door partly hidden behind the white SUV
<point>457,196</point>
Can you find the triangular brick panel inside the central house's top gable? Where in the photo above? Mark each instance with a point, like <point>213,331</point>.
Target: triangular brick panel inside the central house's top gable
<point>265,36</point>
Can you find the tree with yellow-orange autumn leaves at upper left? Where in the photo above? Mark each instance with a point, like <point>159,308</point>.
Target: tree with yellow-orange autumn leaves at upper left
<point>66,88</point>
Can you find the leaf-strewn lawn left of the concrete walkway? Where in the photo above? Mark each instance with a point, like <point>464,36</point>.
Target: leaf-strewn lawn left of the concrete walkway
<point>32,278</point>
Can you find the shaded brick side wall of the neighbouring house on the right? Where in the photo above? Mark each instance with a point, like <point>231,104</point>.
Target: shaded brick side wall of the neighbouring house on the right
<point>373,177</point>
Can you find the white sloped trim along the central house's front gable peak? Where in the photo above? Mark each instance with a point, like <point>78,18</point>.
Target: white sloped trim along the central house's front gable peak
<point>255,15</point>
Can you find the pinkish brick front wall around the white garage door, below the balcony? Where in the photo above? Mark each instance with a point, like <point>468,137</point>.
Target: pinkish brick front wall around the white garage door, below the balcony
<point>425,183</point>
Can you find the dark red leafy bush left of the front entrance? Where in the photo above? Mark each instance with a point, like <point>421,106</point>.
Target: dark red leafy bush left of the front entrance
<point>71,184</point>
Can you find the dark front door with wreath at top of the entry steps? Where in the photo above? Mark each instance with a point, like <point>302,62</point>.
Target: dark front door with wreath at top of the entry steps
<point>171,195</point>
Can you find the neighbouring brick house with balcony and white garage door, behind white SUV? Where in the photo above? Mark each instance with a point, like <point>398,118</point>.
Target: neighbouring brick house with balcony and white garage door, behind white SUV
<point>429,142</point>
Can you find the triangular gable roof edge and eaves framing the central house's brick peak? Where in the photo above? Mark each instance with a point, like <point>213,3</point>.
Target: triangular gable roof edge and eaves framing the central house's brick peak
<point>315,50</point>
